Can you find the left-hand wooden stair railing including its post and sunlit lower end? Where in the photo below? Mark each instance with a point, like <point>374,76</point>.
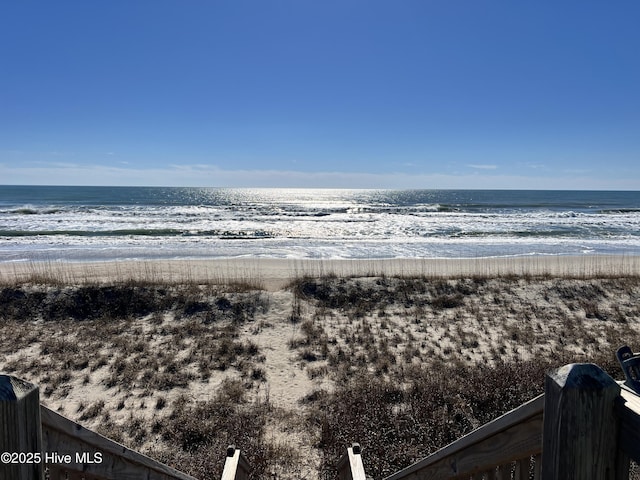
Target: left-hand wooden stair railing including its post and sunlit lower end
<point>43,444</point>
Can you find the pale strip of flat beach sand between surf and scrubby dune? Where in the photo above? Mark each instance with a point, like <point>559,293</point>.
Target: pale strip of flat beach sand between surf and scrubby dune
<point>274,274</point>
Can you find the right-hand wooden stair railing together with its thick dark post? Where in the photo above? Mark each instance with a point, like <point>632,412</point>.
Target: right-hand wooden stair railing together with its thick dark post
<point>585,426</point>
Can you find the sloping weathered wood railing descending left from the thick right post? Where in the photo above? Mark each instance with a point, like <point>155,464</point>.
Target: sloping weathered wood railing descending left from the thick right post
<point>505,439</point>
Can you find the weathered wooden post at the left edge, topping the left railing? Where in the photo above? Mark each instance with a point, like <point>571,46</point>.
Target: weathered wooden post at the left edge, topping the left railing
<point>20,433</point>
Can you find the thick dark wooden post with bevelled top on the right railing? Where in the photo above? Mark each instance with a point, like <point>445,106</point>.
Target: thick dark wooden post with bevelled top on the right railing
<point>580,424</point>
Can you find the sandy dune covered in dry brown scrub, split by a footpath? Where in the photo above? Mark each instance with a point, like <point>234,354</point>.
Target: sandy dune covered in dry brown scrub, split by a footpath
<point>401,365</point>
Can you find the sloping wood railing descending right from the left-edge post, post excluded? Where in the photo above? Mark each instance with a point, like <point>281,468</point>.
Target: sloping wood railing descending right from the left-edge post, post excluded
<point>103,458</point>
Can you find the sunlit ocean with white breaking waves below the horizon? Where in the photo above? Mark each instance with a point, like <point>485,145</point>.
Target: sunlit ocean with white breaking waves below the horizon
<point>51,223</point>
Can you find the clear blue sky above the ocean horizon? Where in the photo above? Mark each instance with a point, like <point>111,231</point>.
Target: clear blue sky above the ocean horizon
<point>301,93</point>
